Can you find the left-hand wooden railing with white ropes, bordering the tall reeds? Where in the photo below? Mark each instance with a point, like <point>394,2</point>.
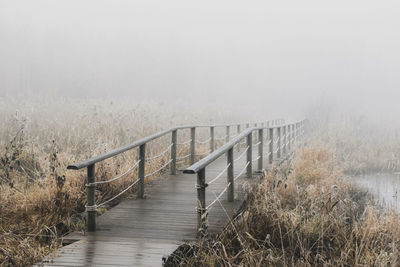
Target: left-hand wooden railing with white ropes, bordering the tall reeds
<point>89,164</point>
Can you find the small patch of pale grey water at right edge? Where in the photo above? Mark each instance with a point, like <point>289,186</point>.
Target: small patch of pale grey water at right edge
<point>384,187</point>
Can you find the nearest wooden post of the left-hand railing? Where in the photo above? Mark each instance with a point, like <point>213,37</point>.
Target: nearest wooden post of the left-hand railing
<point>91,201</point>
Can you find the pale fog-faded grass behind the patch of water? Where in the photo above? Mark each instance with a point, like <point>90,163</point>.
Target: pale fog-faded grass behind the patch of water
<point>359,146</point>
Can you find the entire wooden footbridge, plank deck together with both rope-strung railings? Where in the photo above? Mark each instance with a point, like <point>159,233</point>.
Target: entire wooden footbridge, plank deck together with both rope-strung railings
<point>140,231</point>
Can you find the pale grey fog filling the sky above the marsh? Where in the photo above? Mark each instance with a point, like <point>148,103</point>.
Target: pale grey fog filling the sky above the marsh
<point>272,57</point>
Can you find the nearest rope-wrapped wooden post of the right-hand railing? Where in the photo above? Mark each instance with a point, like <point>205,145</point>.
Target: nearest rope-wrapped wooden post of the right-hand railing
<point>201,202</point>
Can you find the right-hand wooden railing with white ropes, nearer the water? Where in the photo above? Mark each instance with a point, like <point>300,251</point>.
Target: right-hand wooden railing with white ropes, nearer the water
<point>286,135</point>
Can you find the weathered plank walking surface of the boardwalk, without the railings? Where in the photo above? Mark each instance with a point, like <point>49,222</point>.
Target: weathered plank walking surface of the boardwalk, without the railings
<point>139,232</point>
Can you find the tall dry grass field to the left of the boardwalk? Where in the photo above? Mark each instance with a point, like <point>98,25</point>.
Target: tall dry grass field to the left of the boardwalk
<point>39,199</point>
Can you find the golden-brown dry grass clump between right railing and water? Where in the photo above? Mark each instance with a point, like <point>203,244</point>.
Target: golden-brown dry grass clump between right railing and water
<point>308,216</point>
